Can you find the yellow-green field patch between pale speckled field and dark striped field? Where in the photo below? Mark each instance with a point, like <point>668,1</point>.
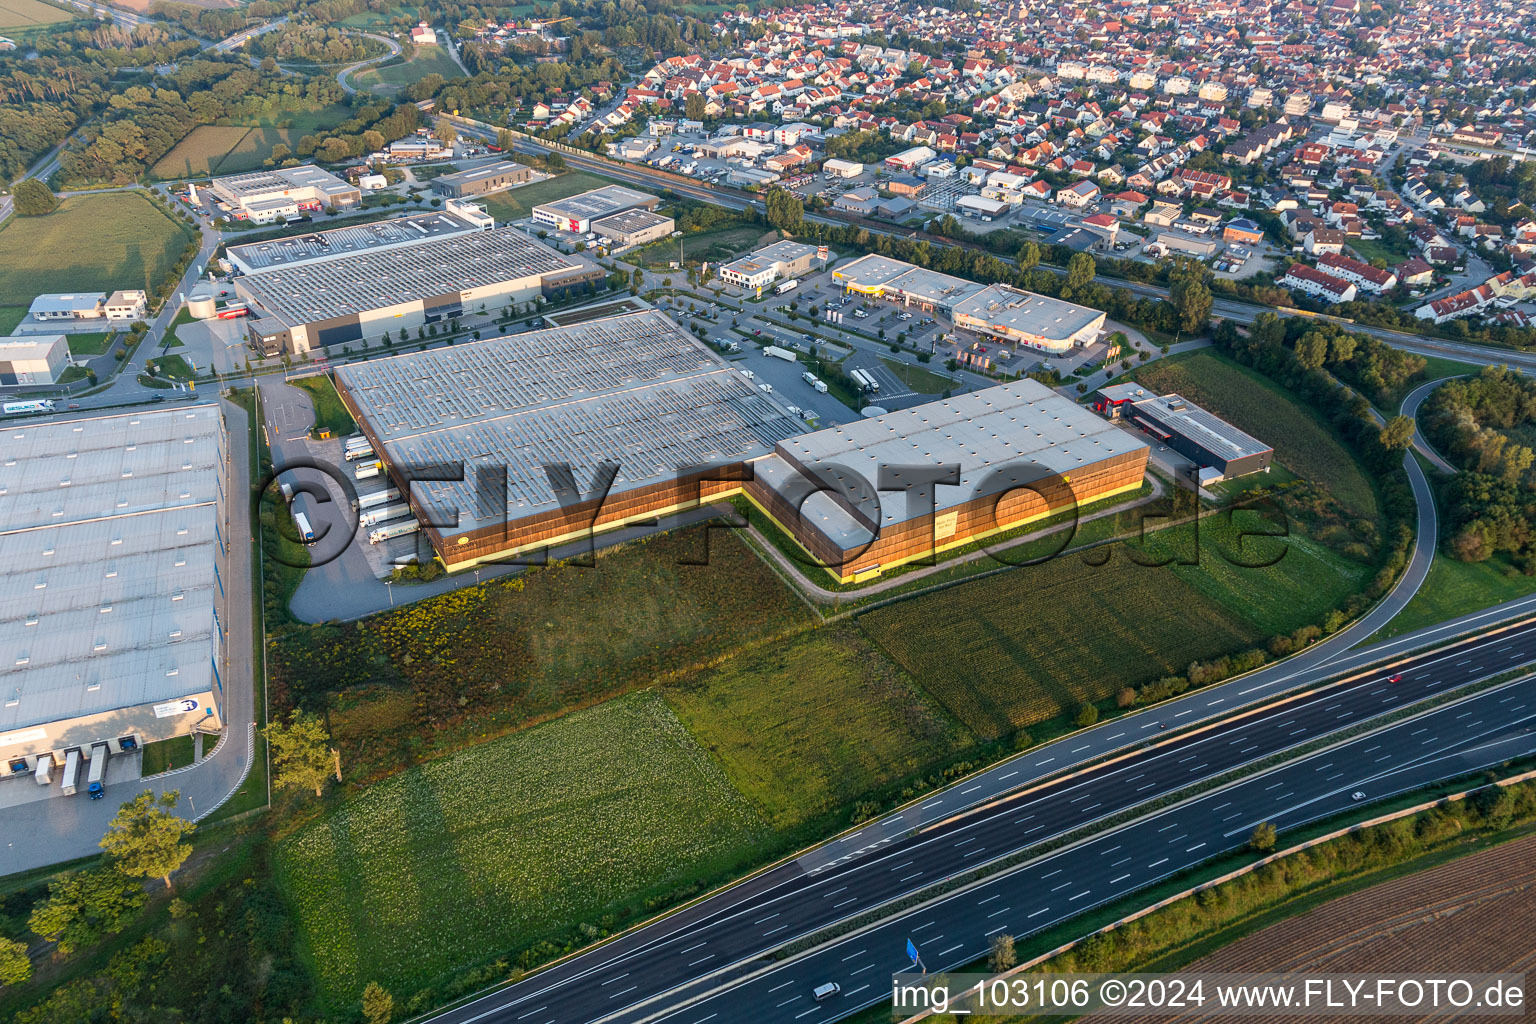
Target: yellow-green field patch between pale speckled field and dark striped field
<point>806,725</point>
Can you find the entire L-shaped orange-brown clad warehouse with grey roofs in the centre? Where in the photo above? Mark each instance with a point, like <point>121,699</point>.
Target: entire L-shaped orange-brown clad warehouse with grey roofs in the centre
<point>640,392</point>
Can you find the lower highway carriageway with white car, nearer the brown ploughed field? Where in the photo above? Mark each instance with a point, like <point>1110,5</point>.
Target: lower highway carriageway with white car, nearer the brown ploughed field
<point>956,930</point>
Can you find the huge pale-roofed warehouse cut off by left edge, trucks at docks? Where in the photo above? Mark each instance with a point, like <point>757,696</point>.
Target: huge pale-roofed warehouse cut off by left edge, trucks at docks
<point>111,530</point>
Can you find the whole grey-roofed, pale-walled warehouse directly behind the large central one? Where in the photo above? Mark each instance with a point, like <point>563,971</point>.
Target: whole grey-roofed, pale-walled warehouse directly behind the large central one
<point>365,294</point>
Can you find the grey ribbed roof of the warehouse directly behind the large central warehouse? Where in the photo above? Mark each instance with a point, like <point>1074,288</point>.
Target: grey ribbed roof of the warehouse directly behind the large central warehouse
<point>392,277</point>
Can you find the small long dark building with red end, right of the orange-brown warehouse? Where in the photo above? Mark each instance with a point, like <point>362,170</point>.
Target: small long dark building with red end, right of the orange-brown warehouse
<point>1219,451</point>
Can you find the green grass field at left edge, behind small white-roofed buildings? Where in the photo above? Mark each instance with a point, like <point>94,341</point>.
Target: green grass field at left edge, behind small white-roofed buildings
<point>91,243</point>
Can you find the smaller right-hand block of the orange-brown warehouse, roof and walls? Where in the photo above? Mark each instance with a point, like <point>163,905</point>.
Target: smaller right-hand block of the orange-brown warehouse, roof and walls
<point>1019,454</point>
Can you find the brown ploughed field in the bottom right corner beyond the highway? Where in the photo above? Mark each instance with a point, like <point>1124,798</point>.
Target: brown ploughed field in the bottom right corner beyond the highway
<point>1472,914</point>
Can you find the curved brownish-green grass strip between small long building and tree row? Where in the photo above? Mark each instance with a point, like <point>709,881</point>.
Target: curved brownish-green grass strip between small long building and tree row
<point>1302,441</point>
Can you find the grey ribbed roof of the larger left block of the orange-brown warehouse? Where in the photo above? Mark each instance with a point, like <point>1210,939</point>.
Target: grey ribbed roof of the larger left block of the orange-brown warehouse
<point>632,389</point>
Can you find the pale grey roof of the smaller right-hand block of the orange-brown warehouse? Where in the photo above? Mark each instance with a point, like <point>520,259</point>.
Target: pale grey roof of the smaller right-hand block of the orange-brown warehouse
<point>1022,426</point>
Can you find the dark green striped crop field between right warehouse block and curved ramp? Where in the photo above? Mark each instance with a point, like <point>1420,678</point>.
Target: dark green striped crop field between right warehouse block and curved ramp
<point>1028,646</point>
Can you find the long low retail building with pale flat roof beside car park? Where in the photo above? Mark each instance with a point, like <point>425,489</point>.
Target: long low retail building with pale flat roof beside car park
<point>996,311</point>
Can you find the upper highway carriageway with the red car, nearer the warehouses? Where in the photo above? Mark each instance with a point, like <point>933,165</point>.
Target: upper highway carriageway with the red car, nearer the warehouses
<point>718,939</point>
